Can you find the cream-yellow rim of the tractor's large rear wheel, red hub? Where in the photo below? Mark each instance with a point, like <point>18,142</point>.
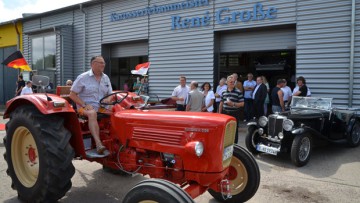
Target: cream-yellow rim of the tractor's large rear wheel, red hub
<point>24,156</point>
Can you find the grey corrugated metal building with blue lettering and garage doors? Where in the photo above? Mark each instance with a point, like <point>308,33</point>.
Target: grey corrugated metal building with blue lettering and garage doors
<point>204,40</point>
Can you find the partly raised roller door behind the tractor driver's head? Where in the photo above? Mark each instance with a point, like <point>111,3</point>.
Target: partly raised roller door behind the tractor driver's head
<point>129,49</point>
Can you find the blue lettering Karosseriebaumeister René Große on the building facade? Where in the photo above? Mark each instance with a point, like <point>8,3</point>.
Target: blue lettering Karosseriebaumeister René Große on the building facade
<point>222,15</point>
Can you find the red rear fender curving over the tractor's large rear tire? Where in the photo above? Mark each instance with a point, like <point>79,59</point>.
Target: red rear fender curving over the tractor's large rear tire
<point>40,102</point>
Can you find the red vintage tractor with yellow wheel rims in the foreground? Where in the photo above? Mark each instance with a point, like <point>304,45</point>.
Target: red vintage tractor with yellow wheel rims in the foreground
<point>185,154</point>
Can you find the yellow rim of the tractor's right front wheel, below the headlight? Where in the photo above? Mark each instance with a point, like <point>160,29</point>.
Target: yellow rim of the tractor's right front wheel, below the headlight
<point>238,176</point>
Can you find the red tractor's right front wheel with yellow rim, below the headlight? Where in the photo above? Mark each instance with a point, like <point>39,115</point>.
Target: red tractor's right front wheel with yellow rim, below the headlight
<point>244,177</point>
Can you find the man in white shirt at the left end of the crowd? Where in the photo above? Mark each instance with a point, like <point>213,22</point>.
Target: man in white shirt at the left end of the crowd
<point>180,93</point>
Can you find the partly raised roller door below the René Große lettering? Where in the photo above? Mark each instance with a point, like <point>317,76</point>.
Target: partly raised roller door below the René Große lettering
<point>279,39</point>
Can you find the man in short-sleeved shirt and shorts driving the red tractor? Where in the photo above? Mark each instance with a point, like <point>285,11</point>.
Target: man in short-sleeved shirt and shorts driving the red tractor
<point>86,92</point>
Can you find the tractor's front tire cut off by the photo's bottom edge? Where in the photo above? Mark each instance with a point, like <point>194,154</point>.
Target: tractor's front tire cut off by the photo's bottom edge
<point>156,190</point>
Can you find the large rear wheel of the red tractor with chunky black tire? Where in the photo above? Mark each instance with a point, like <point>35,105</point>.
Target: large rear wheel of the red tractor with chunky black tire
<point>38,155</point>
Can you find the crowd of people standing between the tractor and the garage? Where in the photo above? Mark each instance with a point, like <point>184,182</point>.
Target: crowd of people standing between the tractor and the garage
<point>231,95</point>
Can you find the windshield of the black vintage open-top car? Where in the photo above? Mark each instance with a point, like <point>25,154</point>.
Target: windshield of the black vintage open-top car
<point>311,102</point>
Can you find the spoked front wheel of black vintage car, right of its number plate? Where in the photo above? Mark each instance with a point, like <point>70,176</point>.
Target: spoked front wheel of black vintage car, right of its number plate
<point>301,149</point>
